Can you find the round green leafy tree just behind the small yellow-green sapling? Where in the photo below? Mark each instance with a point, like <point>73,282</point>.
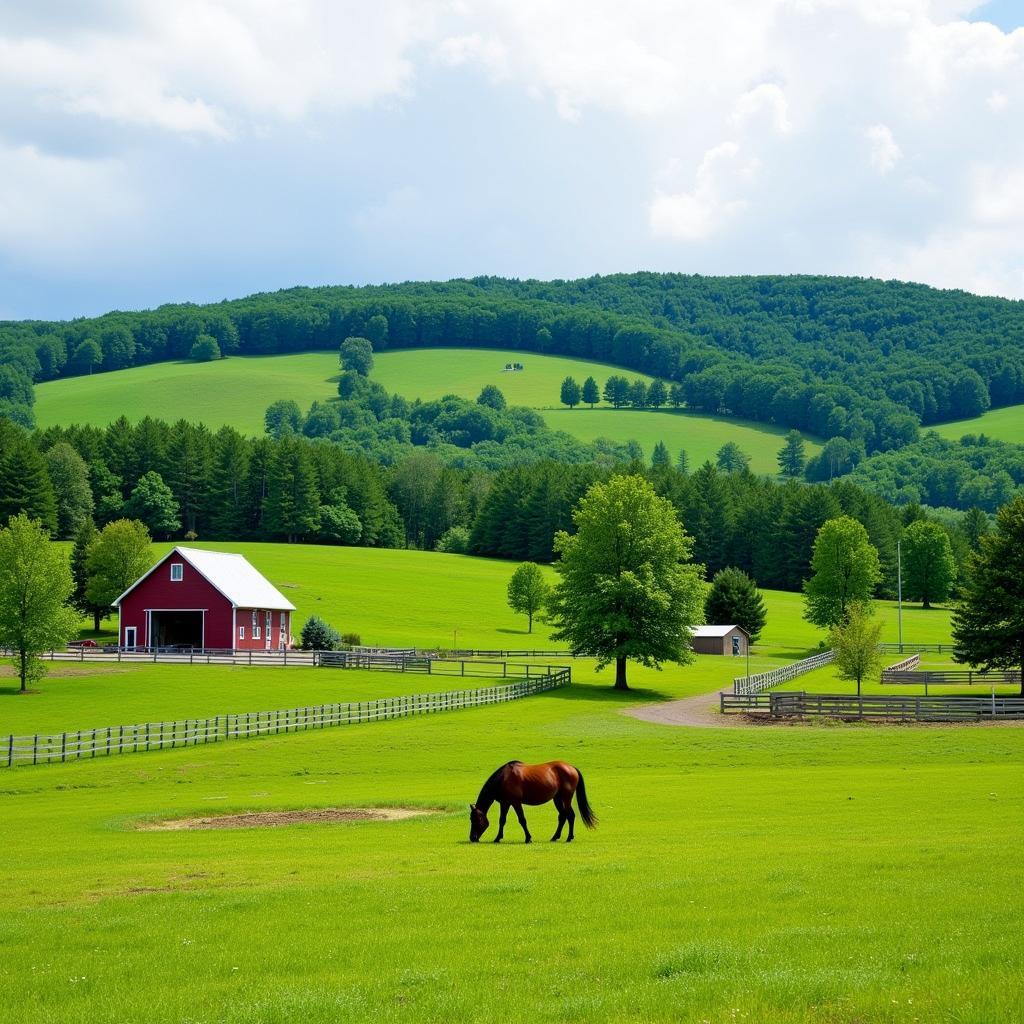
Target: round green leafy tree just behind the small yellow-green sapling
<point>845,571</point>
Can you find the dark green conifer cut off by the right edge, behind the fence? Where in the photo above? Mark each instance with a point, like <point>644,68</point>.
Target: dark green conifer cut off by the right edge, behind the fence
<point>989,623</point>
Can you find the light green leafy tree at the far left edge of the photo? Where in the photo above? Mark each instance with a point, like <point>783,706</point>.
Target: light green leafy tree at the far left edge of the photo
<point>35,587</point>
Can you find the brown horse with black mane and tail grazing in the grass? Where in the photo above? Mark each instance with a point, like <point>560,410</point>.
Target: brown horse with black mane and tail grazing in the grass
<point>516,784</point>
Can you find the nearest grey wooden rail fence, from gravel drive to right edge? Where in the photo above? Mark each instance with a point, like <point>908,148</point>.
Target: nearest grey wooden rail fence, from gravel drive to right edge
<point>792,704</point>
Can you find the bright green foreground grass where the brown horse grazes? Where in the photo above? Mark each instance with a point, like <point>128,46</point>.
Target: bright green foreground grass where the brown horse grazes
<point>771,875</point>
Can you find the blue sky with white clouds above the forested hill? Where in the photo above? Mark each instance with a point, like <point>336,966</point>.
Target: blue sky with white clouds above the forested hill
<point>201,150</point>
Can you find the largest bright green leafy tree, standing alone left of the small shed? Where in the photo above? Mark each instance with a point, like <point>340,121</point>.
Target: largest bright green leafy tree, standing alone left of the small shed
<point>627,587</point>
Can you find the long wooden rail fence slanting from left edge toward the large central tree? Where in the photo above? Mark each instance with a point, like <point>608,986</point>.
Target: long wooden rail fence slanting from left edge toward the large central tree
<point>191,733</point>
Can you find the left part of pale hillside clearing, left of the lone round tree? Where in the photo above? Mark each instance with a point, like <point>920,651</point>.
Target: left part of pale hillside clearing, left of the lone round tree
<point>231,393</point>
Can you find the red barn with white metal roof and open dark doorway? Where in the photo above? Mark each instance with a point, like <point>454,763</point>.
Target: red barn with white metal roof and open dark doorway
<point>196,599</point>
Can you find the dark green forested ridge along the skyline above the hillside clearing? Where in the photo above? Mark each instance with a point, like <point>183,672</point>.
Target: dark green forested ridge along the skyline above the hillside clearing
<point>863,360</point>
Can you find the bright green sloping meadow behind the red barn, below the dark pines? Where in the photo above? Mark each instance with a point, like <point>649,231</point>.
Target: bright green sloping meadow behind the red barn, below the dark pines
<point>429,600</point>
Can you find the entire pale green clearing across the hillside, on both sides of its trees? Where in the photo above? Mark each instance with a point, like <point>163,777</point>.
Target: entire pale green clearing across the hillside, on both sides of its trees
<point>237,392</point>
